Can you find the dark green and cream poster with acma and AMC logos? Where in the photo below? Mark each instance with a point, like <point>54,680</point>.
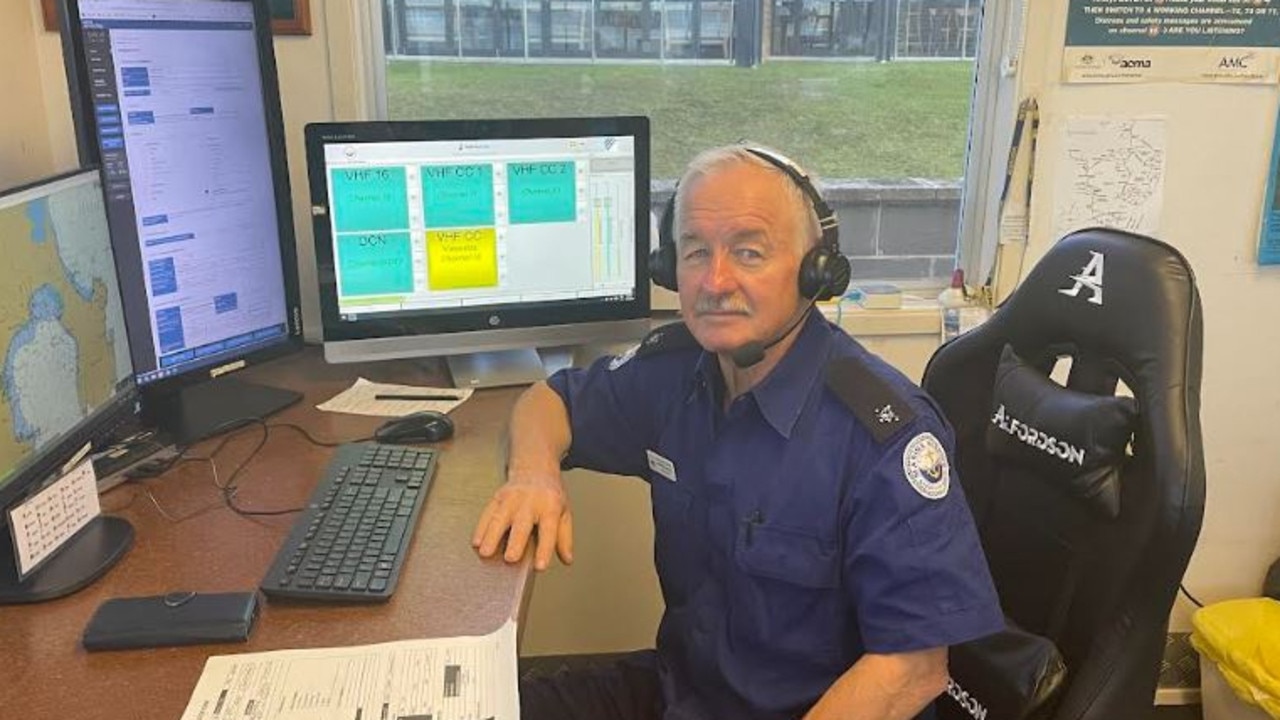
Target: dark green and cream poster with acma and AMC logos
<point>1217,42</point>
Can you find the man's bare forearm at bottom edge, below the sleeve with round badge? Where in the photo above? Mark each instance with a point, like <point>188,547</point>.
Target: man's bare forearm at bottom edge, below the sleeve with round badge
<point>885,687</point>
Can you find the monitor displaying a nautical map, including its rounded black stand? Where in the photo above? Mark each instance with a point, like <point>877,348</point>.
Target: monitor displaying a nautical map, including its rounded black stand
<point>66,372</point>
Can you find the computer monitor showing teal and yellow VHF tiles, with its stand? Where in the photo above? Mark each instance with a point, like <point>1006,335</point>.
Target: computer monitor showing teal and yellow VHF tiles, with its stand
<point>481,240</point>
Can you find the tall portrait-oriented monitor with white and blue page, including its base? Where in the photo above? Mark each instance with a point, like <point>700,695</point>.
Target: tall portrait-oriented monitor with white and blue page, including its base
<point>180,103</point>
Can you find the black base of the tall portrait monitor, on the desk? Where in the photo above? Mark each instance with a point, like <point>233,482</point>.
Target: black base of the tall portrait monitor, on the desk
<point>216,407</point>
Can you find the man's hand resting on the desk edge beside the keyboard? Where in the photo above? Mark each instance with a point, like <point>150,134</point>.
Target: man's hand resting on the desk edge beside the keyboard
<point>529,502</point>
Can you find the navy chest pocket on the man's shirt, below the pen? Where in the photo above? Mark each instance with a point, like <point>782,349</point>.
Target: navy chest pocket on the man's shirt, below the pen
<point>788,601</point>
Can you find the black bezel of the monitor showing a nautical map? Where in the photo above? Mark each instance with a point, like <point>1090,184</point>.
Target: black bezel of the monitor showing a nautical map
<point>40,467</point>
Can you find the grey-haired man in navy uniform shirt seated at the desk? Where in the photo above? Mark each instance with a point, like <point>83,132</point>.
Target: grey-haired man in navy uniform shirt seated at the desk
<point>816,553</point>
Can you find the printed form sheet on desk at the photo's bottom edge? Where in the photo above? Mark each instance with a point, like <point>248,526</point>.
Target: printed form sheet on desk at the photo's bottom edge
<point>467,678</point>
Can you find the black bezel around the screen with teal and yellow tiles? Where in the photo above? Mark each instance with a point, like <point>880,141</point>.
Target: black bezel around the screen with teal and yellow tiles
<point>492,320</point>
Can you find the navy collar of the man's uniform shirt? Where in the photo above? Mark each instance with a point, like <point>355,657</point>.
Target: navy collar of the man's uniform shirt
<point>781,397</point>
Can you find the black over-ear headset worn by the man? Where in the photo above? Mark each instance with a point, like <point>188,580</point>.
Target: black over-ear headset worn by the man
<point>825,272</point>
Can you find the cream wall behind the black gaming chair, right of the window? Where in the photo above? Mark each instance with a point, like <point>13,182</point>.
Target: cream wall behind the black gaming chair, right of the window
<point>1219,142</point>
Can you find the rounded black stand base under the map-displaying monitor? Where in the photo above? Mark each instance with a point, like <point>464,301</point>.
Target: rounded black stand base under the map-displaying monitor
<point>83,560</point>
